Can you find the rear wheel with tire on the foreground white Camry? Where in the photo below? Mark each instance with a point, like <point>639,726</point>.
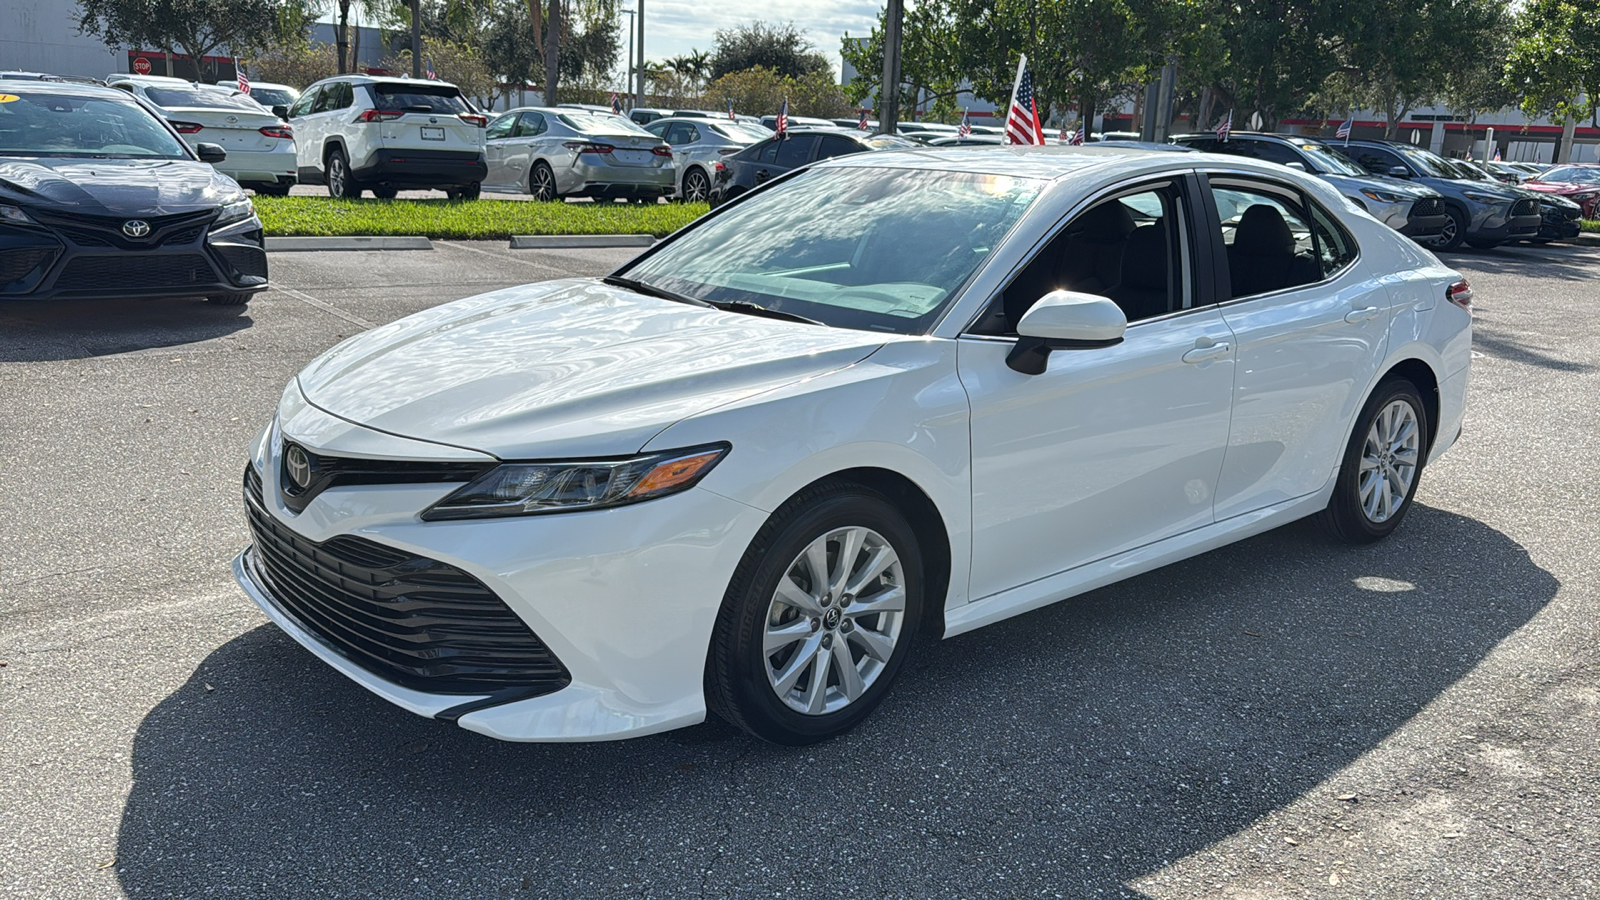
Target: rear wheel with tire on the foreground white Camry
<point>1382,467</point>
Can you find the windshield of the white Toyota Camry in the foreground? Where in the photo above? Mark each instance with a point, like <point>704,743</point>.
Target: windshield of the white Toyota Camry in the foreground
<point>850,247</point>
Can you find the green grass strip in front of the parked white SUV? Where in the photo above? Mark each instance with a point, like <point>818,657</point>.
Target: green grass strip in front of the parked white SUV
<point>476,220</point>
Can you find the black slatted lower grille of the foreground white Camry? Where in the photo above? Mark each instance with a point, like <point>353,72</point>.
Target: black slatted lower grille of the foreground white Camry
<point>409,619</point>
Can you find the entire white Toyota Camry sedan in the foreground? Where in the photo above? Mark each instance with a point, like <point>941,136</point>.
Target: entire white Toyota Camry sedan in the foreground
<point>897,393</point>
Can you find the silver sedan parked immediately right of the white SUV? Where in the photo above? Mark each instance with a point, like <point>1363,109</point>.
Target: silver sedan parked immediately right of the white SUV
<point>574,153</point>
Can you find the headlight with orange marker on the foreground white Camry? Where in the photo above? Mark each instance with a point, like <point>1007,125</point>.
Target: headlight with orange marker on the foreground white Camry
<point>529,489</point>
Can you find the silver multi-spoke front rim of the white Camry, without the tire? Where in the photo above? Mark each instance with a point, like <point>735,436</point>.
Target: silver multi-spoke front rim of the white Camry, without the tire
<point>834,621</point>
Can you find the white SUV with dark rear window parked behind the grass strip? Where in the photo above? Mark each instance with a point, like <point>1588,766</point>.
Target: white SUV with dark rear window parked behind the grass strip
<point>386,135</point>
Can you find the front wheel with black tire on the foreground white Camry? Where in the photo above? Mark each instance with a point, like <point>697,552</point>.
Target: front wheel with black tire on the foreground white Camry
<point>818,619</point>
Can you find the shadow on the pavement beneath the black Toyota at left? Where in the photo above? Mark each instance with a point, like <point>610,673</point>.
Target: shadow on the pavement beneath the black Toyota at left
<point>84,329</point>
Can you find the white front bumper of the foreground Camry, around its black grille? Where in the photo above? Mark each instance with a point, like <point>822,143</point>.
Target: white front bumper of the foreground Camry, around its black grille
<point>626,598</point>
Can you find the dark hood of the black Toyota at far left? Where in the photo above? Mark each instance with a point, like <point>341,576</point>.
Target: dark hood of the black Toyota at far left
<point>118,188</point>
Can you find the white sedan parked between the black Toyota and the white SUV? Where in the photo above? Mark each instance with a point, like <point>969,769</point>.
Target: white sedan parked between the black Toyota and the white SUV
<point>260,147</point>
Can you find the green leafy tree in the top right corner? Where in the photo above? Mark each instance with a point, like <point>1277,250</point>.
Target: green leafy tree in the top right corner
<point>1556,58</point>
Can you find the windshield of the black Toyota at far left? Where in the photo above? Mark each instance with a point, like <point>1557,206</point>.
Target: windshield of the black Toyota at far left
<point>63,126</point>
